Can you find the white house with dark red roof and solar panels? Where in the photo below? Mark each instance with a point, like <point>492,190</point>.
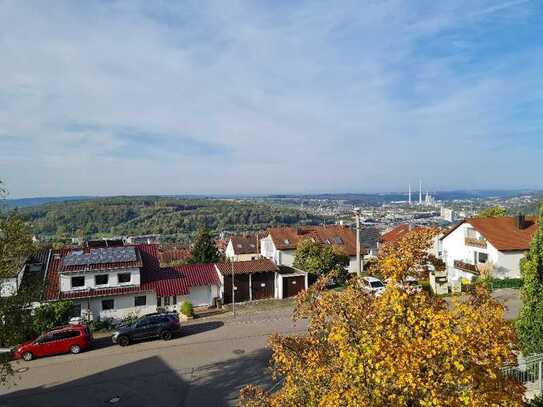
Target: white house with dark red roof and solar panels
<point>115,282</point>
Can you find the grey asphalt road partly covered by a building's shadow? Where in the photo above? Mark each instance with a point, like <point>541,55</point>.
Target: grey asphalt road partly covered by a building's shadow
<point>206,366</point>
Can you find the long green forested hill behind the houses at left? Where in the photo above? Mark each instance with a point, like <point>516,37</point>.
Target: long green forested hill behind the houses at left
<point>175,218</point>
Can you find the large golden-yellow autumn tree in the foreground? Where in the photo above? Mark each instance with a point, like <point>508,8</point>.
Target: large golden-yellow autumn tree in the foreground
<point>399,349</point>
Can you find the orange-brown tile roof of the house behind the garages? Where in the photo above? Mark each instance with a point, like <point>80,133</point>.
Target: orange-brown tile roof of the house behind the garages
<point>287,238</point>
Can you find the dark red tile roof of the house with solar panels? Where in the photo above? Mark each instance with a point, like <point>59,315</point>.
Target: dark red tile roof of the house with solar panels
<point>163,281</point>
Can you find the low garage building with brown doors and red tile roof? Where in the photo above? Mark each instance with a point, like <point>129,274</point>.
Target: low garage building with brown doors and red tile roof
<point>259,279</point>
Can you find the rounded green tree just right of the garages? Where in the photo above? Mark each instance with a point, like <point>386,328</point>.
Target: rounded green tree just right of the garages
<point>319,259</point>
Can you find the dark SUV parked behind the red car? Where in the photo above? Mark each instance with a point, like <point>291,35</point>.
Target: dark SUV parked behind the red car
<point>163,325</point>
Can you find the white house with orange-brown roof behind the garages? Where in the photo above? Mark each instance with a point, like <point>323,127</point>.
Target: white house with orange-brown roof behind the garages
<point>279,244</point>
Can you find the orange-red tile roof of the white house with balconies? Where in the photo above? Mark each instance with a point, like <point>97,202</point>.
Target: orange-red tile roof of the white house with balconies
<point>502,232</point>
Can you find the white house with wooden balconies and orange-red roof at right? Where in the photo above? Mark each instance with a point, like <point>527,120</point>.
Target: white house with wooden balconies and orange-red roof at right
<point>500,242</point>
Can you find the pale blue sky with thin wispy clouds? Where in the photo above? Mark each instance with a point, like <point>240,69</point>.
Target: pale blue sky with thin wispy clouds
<point>224,97</point>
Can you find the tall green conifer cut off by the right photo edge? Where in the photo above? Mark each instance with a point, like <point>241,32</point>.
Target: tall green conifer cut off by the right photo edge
<point>530,323</point>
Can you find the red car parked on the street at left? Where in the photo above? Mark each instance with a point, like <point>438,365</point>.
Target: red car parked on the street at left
<point>64,339</point>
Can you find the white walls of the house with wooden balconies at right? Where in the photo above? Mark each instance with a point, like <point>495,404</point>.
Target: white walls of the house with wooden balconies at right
<point>454,248</point>
